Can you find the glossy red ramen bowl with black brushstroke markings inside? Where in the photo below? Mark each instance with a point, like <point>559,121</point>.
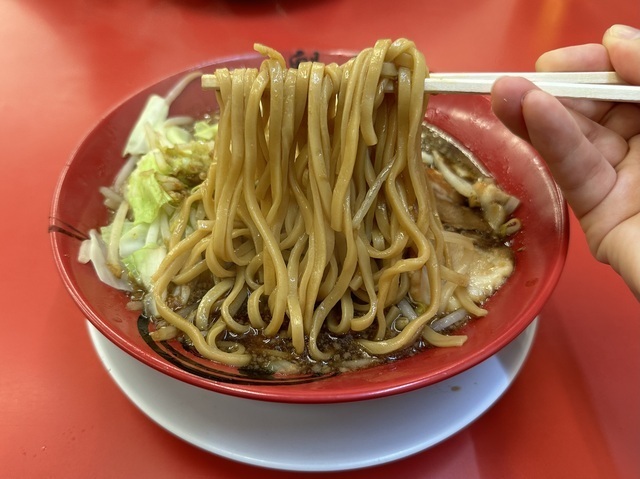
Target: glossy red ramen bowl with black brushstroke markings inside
<point>540,250</point>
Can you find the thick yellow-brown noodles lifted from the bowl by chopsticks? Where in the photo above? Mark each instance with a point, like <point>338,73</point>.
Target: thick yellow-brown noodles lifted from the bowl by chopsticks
<point>316,213</point>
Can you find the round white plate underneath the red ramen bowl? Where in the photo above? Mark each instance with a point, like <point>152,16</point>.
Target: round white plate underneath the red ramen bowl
<point>315,437</point>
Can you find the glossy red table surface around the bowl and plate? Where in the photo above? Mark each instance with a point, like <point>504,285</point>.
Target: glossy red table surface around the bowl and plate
<point>572,412</point>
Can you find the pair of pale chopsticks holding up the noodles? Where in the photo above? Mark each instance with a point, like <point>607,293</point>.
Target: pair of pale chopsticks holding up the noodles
<point>604,86</point>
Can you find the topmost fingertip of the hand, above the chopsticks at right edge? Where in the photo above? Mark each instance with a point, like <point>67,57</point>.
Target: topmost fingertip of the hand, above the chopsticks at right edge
<point>623,45</point>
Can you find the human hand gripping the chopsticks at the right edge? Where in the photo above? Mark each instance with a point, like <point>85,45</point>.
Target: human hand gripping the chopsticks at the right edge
<point>592,148</point>
